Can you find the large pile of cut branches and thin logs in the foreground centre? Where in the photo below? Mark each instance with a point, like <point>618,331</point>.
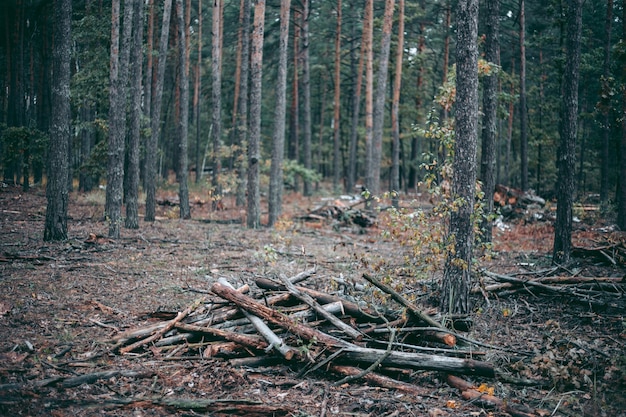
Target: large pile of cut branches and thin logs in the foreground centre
<point>310,330</point>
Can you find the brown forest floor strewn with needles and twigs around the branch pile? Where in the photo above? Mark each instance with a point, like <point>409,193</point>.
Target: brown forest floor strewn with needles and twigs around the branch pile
<point>62,303</point>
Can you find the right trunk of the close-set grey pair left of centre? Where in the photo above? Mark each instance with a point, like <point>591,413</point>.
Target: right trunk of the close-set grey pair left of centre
<point>132,196</point>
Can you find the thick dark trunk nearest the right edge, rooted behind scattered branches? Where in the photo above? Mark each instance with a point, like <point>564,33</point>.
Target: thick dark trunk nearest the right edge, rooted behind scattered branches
<point>566,154</point>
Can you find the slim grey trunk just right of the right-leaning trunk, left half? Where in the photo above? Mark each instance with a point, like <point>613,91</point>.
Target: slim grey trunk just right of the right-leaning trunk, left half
<point>183,126</point>
